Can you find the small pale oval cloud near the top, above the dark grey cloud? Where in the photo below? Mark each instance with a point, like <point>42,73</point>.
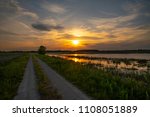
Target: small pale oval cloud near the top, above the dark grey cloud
<point>54,8</point>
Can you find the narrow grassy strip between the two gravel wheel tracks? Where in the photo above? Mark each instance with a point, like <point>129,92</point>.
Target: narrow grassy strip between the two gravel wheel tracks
<point>45,88</point>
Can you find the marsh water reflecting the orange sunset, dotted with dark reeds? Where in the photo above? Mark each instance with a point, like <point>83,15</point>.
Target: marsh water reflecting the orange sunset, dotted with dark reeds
<point>128,63</point>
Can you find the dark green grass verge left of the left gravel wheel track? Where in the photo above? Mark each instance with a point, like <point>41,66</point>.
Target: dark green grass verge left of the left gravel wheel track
<point>11,74</point>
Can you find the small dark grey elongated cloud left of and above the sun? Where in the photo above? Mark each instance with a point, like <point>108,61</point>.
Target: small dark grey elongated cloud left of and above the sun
<point>46,27</point>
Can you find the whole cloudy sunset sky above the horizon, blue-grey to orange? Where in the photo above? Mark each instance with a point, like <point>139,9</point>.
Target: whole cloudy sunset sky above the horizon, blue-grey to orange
<point>56,24</point>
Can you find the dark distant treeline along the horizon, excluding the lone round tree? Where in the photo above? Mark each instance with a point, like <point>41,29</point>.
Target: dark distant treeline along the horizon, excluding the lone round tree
<point>87,51</point>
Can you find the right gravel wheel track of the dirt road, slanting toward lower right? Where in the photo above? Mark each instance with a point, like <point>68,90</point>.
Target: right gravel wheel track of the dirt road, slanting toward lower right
<point>67,90</point>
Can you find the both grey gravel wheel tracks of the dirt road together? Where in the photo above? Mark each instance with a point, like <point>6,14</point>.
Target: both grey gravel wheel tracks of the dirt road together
<point>28,89</point>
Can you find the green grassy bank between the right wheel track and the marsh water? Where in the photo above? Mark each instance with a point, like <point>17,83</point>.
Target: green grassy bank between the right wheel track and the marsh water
<point>98,83</point>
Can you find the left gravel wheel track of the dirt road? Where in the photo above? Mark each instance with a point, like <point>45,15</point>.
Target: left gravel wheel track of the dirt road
<point>27,89</point>
